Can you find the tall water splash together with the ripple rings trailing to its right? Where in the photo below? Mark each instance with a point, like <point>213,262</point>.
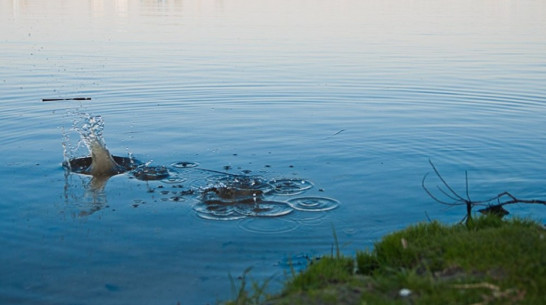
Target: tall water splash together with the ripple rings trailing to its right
<point>224,196</point>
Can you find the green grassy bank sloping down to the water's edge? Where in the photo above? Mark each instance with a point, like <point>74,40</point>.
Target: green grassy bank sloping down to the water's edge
<point>488,261</point>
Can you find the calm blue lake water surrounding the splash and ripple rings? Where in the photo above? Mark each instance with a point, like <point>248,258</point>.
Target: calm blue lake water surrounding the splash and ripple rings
<point>352,96</point>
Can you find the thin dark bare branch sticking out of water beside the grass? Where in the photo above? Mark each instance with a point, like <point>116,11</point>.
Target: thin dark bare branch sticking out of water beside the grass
<point>494,205</point>
